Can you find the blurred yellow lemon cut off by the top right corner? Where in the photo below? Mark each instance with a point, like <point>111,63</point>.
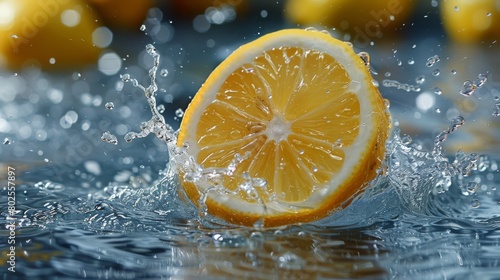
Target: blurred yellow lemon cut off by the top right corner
<point>468,21</point>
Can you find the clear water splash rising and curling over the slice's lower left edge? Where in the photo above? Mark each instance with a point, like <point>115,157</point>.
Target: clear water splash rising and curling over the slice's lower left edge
<point>208,180</point>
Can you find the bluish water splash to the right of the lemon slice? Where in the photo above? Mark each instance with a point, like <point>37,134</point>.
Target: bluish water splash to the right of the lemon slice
<point>418,174</point>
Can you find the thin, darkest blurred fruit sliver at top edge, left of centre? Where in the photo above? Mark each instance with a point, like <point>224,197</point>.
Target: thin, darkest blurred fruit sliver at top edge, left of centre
<point>192,8</point>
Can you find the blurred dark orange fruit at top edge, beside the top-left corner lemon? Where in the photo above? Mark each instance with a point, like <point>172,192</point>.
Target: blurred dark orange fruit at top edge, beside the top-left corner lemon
<point>127,14</point>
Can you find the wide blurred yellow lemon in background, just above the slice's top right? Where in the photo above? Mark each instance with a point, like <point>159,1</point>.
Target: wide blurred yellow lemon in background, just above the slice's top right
<point>359,21</point>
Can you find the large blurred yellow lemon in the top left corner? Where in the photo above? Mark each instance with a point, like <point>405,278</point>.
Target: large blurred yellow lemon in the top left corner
<point>46,33</point>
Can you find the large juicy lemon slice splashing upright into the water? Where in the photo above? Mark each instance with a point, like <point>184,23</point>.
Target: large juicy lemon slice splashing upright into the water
<point>298,111</point>
